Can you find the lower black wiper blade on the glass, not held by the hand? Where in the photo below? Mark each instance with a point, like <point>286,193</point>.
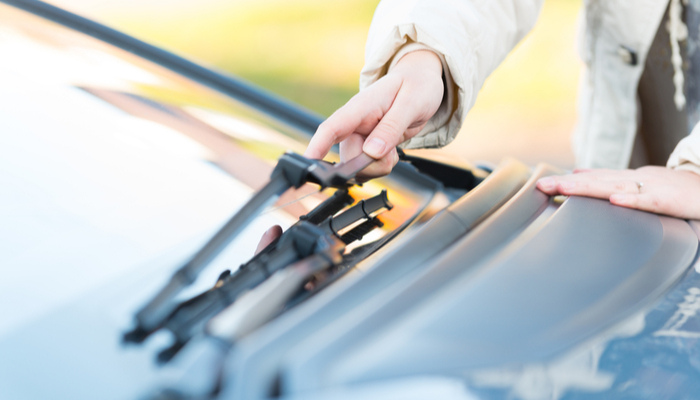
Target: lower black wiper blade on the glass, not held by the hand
<point>304,240</point>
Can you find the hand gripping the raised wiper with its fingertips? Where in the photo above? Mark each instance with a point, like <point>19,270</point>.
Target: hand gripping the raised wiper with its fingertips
<point>390,111</point>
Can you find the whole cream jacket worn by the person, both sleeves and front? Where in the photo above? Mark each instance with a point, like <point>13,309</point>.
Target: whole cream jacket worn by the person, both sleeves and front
<point>473,36</point>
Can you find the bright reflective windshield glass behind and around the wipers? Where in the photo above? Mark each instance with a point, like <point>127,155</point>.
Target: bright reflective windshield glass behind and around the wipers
<point>111,164</point>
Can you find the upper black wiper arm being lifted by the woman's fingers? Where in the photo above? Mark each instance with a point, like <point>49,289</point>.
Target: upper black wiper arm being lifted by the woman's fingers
<point>292,170</point>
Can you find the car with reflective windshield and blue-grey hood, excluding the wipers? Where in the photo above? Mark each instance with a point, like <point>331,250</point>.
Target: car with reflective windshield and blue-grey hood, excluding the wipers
<point>119,160</point>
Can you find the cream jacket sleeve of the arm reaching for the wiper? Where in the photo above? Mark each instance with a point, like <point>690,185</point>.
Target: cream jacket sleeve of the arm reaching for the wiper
<point>471,37</point>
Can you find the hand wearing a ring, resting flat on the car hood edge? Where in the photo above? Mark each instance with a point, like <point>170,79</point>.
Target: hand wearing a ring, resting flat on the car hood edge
<point>655,189</point>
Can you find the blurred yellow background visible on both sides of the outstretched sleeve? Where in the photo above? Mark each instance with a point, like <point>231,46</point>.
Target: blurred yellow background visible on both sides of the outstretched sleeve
<point>311,52</point>
